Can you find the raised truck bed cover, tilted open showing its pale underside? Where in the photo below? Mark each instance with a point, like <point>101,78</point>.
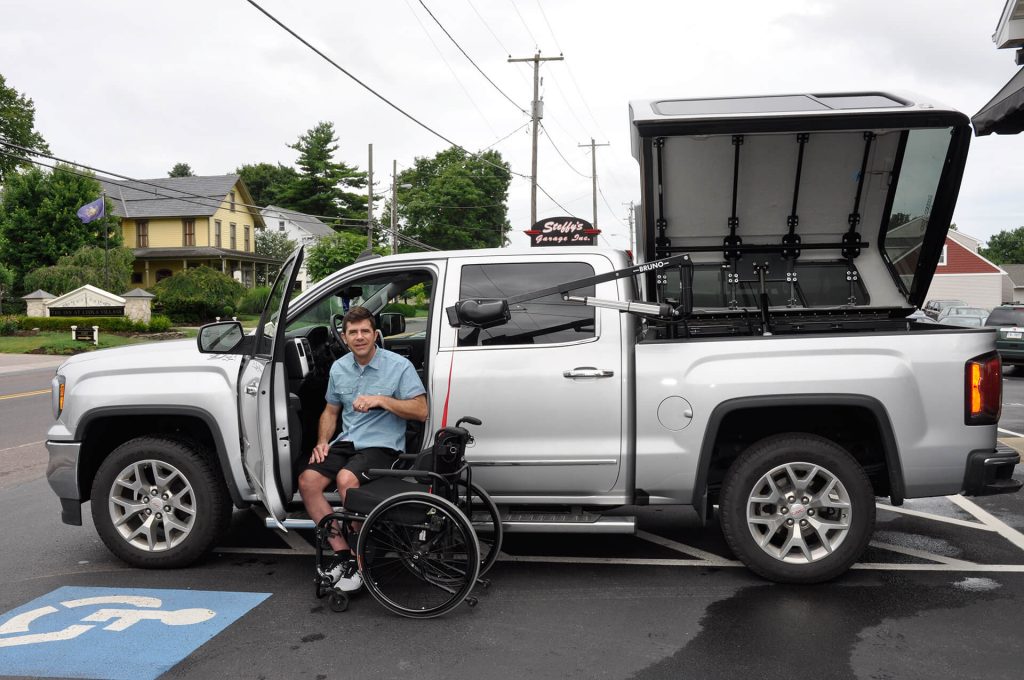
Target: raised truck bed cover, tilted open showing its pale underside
<point>803,202</point>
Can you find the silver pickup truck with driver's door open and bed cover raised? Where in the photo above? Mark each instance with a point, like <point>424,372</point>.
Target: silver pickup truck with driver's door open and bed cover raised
<point>756,358</point>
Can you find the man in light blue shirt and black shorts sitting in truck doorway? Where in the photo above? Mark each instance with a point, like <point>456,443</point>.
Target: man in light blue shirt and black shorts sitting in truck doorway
<point>375,392</point>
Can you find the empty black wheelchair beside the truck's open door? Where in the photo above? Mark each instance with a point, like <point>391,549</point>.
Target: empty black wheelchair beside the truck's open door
<point>423,537</point>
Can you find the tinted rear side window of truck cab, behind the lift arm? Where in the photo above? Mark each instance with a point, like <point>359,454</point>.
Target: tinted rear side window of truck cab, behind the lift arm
<point>546,320</point>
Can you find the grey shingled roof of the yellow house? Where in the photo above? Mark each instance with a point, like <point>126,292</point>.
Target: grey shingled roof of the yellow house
<point>169,197</point>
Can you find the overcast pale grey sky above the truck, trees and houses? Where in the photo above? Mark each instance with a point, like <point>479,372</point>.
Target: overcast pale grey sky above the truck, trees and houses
<point>136,87</point>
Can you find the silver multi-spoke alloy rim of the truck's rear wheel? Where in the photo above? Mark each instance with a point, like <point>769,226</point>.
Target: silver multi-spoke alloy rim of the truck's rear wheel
<point>799,513</point>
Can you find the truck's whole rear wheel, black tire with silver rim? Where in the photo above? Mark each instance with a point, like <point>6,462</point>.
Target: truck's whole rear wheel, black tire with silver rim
<point>797,508</point>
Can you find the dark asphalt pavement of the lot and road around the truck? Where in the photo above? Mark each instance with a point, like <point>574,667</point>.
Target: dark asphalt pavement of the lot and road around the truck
<point>938,594</point>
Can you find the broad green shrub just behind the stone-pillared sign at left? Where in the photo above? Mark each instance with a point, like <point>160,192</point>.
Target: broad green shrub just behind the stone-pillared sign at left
<point>90,265</point>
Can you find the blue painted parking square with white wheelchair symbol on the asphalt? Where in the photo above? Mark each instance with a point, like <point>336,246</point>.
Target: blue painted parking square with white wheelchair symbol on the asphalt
<point>114,633</point>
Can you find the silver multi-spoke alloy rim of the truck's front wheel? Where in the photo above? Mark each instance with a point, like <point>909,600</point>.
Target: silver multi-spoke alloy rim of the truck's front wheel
<point>152,505</point>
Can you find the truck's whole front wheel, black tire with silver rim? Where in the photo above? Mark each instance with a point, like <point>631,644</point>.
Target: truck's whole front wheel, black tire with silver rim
<point>137,527</point>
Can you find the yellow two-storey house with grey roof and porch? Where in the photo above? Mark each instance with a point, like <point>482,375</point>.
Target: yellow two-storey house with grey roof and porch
<point>175,224</point>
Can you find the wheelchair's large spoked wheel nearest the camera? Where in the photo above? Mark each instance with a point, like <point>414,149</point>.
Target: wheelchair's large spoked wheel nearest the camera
<point>418,556</point>
